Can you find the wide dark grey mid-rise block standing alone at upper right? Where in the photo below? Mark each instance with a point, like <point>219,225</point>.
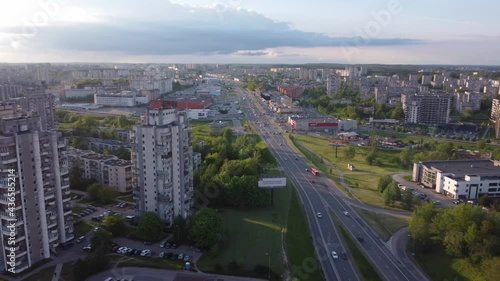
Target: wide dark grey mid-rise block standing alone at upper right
<point>427,108</point>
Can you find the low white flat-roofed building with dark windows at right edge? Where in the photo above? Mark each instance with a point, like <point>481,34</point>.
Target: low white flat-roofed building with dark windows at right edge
<point>468,179</point>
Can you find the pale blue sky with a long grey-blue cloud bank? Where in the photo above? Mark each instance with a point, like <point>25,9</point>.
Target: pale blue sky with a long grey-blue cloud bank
<point>251,31</point>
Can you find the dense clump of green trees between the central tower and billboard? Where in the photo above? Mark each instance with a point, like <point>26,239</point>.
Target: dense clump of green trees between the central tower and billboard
<point>232,165</point>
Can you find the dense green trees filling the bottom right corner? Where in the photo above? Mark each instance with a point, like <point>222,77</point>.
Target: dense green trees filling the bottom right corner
<point>467,232</point>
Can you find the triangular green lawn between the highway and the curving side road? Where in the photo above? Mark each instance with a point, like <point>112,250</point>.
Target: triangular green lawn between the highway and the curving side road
<point>384,225</point>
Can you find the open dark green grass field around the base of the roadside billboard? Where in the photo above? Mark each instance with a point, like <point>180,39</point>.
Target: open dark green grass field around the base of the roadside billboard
<point>254,233</point>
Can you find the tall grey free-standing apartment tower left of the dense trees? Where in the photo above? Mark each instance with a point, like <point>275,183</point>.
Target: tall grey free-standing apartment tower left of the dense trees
<point>162,155</point>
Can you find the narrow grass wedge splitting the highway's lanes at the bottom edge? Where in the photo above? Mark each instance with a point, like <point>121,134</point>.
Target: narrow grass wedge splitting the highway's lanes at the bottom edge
<point>360,261</point>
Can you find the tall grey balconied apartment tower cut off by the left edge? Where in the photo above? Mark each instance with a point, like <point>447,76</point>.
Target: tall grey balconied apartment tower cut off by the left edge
<point>36,201</point>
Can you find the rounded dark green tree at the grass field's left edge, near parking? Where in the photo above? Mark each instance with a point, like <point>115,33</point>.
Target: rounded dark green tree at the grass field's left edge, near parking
<point>208,228</point>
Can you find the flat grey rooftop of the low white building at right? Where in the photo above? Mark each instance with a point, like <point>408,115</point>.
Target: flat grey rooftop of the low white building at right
<point>460,168</point>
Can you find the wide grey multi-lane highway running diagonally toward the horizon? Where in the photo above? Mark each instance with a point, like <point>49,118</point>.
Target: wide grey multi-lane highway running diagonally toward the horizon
<point>318,195</point>
